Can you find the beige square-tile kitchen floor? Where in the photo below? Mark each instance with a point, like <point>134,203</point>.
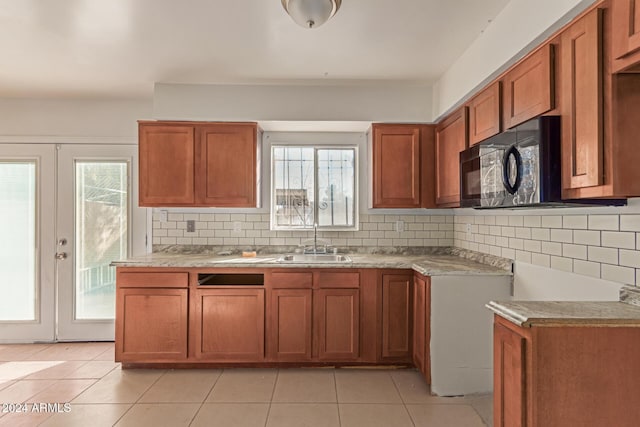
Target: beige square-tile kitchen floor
<point>99,393</point>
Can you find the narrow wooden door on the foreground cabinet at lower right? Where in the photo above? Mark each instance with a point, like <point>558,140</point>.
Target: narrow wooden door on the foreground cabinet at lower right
<point>509,385</point>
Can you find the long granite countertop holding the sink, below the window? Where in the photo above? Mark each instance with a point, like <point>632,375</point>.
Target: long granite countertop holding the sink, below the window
<point>429,265</point>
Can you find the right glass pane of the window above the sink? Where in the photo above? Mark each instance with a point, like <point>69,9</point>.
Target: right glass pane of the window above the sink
<point>336,187</point>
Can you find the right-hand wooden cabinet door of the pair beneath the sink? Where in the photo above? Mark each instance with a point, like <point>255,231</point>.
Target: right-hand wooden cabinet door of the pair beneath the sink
<point>337,323</point>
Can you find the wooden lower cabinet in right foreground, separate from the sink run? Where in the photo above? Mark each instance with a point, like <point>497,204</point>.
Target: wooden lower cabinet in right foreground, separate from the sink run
<point>566,375</point>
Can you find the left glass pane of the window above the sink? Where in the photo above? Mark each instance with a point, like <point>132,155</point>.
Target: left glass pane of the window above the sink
<point>293,183</point>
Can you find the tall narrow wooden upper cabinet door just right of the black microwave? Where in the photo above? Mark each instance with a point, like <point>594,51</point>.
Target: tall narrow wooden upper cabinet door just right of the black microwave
<point>582,127</point>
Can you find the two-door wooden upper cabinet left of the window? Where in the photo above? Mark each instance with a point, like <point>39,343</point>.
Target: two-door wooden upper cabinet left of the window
<point>198,164</point>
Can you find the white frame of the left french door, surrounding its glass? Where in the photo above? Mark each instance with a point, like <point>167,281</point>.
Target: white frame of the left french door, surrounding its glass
<point>43,327</point>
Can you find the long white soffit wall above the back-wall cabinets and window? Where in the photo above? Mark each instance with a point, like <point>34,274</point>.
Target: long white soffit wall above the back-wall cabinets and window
<point>391,103</point>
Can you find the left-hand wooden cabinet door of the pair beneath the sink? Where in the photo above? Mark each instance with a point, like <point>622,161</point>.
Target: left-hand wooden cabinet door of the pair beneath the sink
<point>290,325</point>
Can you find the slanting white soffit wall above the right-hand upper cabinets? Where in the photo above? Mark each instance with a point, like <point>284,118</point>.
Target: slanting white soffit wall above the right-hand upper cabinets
<point>519,27</point>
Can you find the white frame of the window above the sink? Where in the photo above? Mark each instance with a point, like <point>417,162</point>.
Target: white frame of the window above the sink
<point>356,187</point>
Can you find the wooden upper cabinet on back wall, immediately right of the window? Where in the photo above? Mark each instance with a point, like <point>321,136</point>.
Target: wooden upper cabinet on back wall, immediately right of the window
<point>402,166</point>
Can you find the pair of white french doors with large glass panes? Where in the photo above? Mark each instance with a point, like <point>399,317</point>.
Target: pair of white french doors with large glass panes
<point>73,210</point>
